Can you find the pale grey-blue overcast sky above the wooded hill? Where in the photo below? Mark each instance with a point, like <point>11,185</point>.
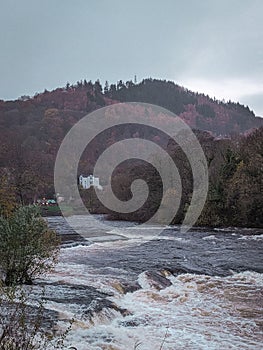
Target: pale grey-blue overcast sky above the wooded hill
<point>210,46</point>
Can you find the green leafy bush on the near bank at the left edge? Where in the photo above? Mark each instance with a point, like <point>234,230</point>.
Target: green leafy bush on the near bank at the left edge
<point>27,246</point>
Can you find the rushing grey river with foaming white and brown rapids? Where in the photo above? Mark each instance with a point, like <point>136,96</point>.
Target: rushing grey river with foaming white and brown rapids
<point>196,290</point>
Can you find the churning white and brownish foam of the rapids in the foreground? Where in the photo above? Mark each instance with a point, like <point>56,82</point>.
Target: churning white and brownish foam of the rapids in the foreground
<point>196,311</point>
